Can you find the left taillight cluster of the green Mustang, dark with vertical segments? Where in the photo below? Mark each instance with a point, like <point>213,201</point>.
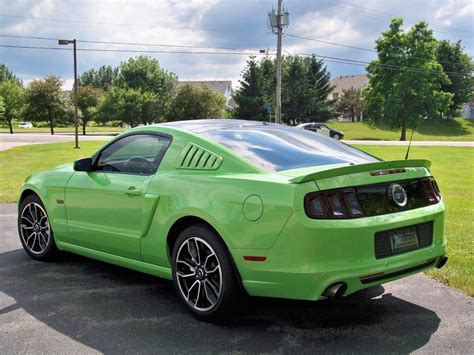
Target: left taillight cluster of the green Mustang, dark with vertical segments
<point>342,203</point>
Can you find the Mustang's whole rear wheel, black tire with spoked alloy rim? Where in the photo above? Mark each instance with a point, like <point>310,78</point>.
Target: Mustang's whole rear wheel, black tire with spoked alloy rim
<point>226,300</point>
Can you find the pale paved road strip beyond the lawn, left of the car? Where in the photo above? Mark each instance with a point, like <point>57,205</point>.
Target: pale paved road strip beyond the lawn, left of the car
<point>8,141</point>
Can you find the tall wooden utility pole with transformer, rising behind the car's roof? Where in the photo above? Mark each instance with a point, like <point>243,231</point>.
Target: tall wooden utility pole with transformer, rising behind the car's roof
<point>277,21</point>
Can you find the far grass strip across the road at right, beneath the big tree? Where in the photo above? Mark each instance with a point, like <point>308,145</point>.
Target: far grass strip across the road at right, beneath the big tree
<point>458,129</point>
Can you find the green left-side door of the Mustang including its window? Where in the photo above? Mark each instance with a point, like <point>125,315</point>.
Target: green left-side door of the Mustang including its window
<point>108,208</point>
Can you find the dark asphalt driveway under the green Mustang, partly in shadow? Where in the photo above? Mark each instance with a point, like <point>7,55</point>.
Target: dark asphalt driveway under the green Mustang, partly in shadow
<point>80,305</point>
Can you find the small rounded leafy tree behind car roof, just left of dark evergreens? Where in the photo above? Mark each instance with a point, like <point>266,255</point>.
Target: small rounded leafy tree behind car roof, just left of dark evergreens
<point>197,103</point>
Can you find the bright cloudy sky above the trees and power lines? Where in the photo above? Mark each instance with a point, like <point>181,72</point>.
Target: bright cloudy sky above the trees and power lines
<point>233,25</point>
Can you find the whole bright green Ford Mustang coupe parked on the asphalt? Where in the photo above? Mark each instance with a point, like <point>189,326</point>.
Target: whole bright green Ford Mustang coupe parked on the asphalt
<point>228,207</point>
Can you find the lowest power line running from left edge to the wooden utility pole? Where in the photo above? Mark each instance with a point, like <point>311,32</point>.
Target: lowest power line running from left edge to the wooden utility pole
<point>136,50</point>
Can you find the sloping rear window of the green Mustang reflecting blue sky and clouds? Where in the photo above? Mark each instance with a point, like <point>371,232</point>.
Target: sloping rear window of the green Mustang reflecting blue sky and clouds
<point>278,148</point>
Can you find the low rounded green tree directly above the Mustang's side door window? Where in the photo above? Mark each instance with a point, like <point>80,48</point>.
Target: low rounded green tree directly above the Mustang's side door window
<point>128,106</point>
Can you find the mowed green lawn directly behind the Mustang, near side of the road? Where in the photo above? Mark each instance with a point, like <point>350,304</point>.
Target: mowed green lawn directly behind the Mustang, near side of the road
<point>453,168</point>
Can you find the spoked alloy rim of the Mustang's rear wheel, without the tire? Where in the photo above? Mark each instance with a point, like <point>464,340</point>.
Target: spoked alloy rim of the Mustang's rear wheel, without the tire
<point>199,274</point>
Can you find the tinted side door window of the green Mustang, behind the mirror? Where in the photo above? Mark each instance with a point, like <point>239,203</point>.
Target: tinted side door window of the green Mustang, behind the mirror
<point>135,154</point>
